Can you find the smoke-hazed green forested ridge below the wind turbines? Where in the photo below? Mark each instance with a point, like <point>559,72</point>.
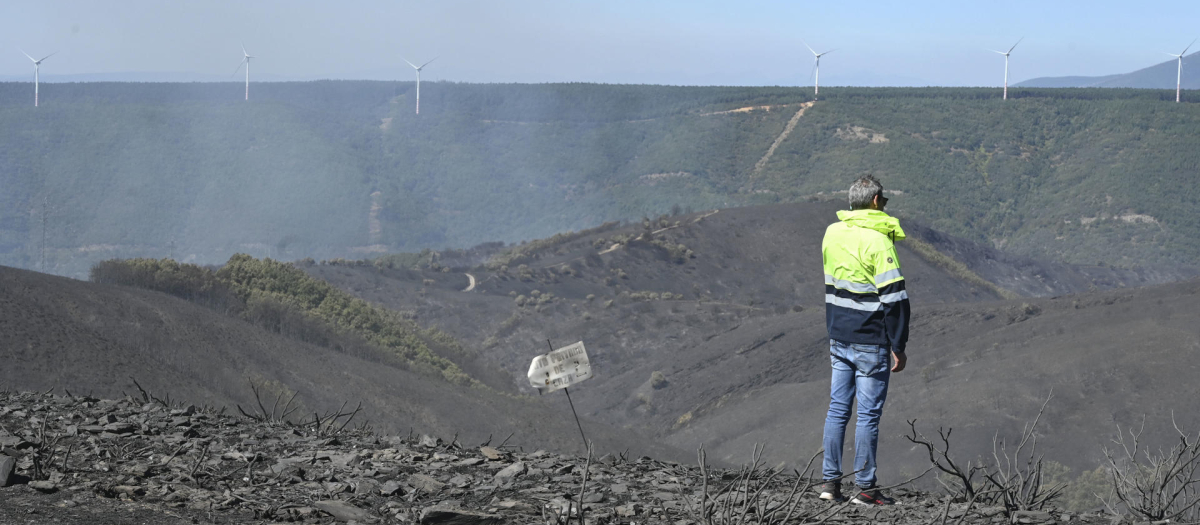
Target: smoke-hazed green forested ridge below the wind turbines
<point>346,170</point>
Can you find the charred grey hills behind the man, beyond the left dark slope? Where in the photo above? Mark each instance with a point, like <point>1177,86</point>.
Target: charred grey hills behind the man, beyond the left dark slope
<point>743,347</point>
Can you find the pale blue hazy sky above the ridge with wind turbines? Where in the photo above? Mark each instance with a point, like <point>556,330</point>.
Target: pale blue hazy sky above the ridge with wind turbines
<point>614,41</point>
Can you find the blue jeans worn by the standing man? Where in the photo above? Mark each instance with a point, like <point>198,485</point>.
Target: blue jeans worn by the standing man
<point>861,370</point>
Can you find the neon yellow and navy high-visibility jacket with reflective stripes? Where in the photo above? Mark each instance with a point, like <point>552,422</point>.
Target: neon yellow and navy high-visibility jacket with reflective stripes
<point>866,297</point>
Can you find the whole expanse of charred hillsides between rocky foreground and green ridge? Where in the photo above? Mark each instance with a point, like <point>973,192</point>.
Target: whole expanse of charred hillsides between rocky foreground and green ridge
<point>705,329</point>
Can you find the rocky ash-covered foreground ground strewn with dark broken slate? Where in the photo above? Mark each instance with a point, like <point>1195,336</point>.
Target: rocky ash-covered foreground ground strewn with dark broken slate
<point>140,461</point>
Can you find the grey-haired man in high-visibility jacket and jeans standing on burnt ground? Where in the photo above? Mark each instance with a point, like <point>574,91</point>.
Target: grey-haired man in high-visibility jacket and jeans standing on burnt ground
<point>867,312</point>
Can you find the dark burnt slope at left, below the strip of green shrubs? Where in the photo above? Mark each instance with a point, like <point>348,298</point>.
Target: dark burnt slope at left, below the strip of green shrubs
<point>99,340</point>
